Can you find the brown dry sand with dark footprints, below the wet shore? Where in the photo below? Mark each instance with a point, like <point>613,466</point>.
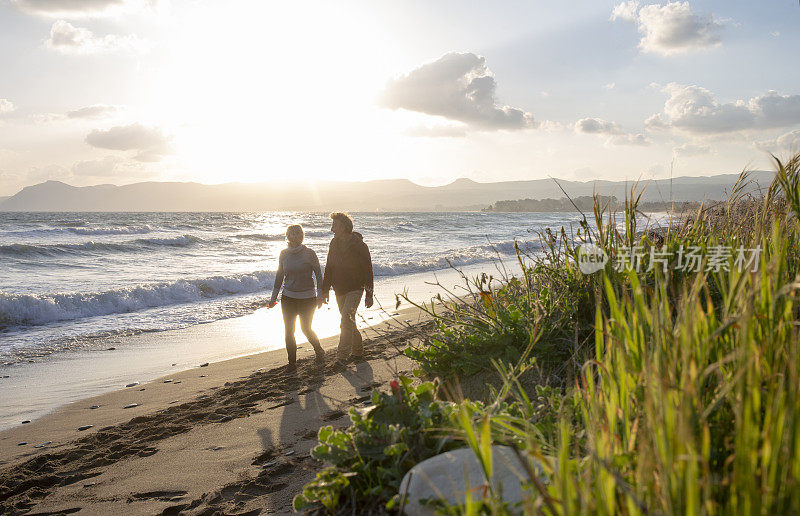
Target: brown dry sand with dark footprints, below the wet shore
<point>232,437</point>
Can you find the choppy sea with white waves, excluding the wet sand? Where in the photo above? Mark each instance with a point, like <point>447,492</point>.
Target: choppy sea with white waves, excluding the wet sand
<point>69,281</point>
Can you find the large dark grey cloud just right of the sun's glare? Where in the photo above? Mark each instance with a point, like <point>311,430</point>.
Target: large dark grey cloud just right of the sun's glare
<point>457,86</point>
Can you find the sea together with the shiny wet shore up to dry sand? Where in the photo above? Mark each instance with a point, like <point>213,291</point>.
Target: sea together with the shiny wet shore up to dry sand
<point>91,302</point>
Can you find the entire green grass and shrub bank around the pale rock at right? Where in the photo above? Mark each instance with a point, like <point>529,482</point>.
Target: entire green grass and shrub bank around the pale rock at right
<point>666,390</point>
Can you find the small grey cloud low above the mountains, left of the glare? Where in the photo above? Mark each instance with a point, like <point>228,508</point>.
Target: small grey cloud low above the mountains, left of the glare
<point>150,143</point>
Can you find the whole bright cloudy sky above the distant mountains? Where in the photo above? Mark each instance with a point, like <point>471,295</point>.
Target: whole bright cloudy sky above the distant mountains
<point>121,91</point>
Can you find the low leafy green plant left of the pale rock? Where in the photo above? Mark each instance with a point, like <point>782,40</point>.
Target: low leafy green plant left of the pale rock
<point>369,459</point>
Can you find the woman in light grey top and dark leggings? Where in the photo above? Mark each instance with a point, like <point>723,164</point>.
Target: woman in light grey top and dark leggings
<point>295,266</point>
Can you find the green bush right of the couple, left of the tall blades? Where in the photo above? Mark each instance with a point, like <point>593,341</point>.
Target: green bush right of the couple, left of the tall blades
<point>550,305</point>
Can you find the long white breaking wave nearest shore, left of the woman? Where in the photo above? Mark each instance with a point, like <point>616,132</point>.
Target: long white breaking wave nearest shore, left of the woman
<point>32,310</point>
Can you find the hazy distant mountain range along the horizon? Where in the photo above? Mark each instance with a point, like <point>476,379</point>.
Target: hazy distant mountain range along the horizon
<point>383,195</point>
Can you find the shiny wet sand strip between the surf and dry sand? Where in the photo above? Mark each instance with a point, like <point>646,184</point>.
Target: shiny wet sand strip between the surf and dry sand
<point>34,390</point>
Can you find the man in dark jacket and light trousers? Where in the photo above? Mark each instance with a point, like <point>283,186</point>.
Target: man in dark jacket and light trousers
<point>349,271</point>
